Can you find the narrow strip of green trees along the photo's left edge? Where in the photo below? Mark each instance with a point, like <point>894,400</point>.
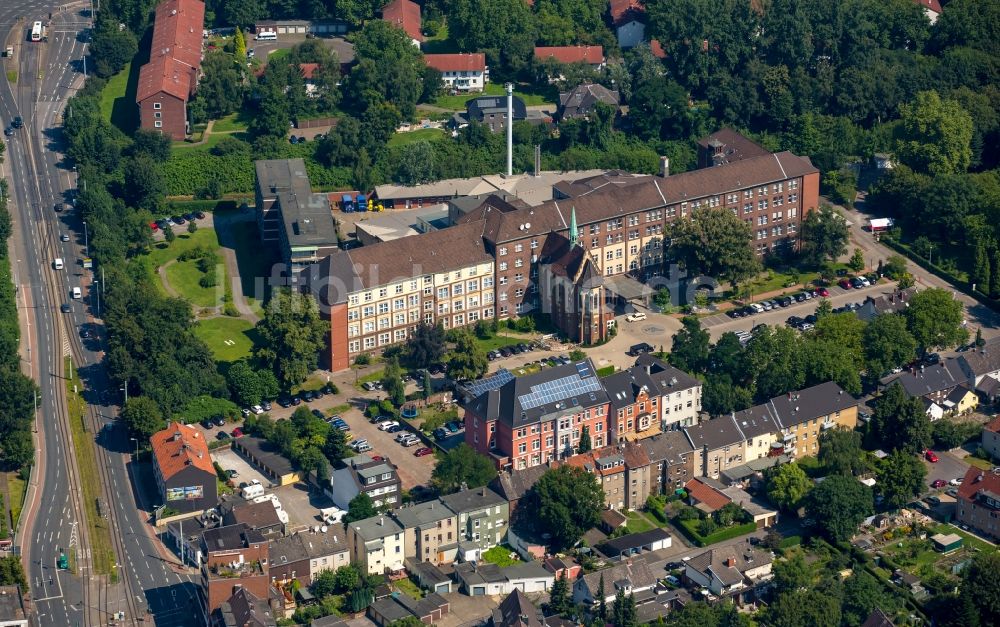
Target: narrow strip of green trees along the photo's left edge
<point>17,450</point>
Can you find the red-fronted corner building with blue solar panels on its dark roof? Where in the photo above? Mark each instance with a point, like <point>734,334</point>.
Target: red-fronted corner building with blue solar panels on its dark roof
<point>539,418</point>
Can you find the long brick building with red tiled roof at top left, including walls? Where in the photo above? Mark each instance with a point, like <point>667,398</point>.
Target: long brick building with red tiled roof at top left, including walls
<point>169,79</point>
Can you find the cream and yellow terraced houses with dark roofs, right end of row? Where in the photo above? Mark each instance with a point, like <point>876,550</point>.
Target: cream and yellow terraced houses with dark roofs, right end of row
<point>788,425</point>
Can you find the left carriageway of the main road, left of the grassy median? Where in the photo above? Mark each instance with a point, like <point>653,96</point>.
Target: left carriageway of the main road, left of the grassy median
<point>50,523</point>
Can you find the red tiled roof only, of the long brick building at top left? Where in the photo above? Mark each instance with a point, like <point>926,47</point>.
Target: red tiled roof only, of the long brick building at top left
<point>175,51</point>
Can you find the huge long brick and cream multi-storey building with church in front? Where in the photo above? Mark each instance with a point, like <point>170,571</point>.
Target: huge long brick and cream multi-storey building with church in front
<point>526,258</point>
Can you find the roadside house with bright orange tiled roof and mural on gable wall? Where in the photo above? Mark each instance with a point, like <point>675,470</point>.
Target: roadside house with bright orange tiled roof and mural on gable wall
<point>182,467</point>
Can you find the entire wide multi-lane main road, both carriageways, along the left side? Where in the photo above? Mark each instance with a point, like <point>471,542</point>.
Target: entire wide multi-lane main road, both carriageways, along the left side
<point>48,74</point>
